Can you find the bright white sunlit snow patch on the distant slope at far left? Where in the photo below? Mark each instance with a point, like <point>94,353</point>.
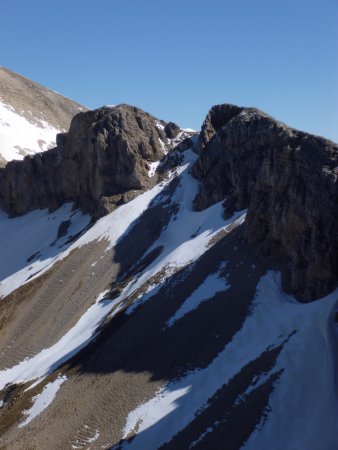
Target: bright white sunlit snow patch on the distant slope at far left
<point>20,137</point>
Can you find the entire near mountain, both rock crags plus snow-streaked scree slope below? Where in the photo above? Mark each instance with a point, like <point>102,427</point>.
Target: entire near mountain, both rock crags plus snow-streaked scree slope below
<point>165,289</point>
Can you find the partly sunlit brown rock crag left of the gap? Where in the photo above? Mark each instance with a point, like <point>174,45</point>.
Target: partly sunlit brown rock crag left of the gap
<point>102,161</point>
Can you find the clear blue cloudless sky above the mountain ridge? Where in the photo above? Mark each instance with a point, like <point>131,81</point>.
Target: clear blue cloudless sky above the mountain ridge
<point>175,59</point>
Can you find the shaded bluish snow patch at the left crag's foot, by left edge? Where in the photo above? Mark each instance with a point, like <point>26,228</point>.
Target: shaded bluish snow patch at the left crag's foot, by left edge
<point>29,243</point>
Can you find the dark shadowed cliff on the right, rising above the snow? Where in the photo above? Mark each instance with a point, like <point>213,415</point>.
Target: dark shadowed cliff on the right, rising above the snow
<point>286,179</point>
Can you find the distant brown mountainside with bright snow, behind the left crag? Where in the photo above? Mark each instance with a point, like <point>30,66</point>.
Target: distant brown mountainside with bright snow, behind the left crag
<point>30,116</point>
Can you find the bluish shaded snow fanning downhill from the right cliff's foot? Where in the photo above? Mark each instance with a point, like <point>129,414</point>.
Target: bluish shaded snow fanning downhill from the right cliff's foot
<point>303,406</point>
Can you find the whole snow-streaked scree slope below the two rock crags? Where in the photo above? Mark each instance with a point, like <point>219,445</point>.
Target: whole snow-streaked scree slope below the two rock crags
<point>156,328</point>
